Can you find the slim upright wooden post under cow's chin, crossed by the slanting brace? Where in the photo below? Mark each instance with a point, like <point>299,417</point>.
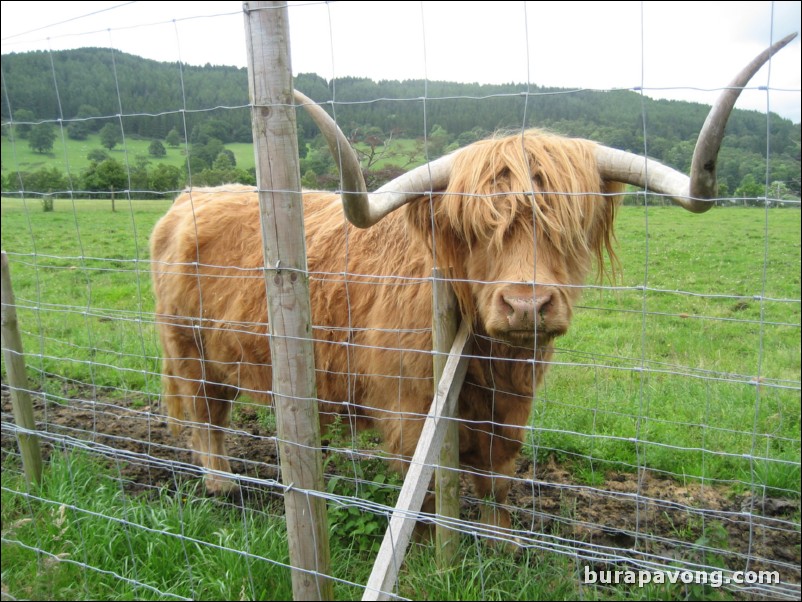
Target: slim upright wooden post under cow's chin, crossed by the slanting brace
<point>445,319</point>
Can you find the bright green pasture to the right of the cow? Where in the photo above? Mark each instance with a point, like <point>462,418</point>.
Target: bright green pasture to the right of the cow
<point>714,368</point>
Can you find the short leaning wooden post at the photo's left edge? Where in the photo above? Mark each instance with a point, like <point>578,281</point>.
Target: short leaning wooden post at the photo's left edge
<point>18,380</point>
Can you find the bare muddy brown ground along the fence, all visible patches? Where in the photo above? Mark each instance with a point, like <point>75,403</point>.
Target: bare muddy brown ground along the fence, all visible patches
<point>641,518</point>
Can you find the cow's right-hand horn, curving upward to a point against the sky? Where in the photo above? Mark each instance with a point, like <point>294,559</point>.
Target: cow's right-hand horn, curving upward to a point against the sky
<point>689,192</point>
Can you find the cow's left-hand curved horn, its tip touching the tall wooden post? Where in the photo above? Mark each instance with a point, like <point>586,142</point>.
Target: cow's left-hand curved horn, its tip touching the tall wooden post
<point>361,208</point>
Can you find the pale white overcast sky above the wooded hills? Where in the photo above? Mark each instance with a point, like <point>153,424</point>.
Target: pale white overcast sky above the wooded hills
<point>690,48</point>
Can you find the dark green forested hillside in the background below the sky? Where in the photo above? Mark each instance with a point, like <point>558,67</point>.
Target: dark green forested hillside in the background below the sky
<point>201,106</point>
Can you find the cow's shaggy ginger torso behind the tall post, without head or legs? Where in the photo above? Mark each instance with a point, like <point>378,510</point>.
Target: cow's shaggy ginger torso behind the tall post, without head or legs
<point>369,290</point>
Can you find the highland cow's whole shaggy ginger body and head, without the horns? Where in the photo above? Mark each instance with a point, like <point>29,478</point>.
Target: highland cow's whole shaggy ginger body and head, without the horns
<point>522,216</point>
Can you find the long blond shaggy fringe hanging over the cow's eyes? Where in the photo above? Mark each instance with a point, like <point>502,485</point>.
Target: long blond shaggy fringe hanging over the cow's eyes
<point>543,183</point>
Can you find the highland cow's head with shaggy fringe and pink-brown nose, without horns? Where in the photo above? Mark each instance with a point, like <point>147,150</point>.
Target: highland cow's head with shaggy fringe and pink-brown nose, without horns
<point>520,252</point>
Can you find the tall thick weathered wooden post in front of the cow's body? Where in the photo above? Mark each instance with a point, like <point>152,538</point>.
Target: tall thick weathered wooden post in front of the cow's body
<point>287,283</point>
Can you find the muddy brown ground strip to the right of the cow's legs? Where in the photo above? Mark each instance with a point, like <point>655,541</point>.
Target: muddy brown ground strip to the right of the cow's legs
<point>657,520</point>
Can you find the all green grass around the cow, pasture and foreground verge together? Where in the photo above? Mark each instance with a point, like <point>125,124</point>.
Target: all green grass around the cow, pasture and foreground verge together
<point>690,366</point>
